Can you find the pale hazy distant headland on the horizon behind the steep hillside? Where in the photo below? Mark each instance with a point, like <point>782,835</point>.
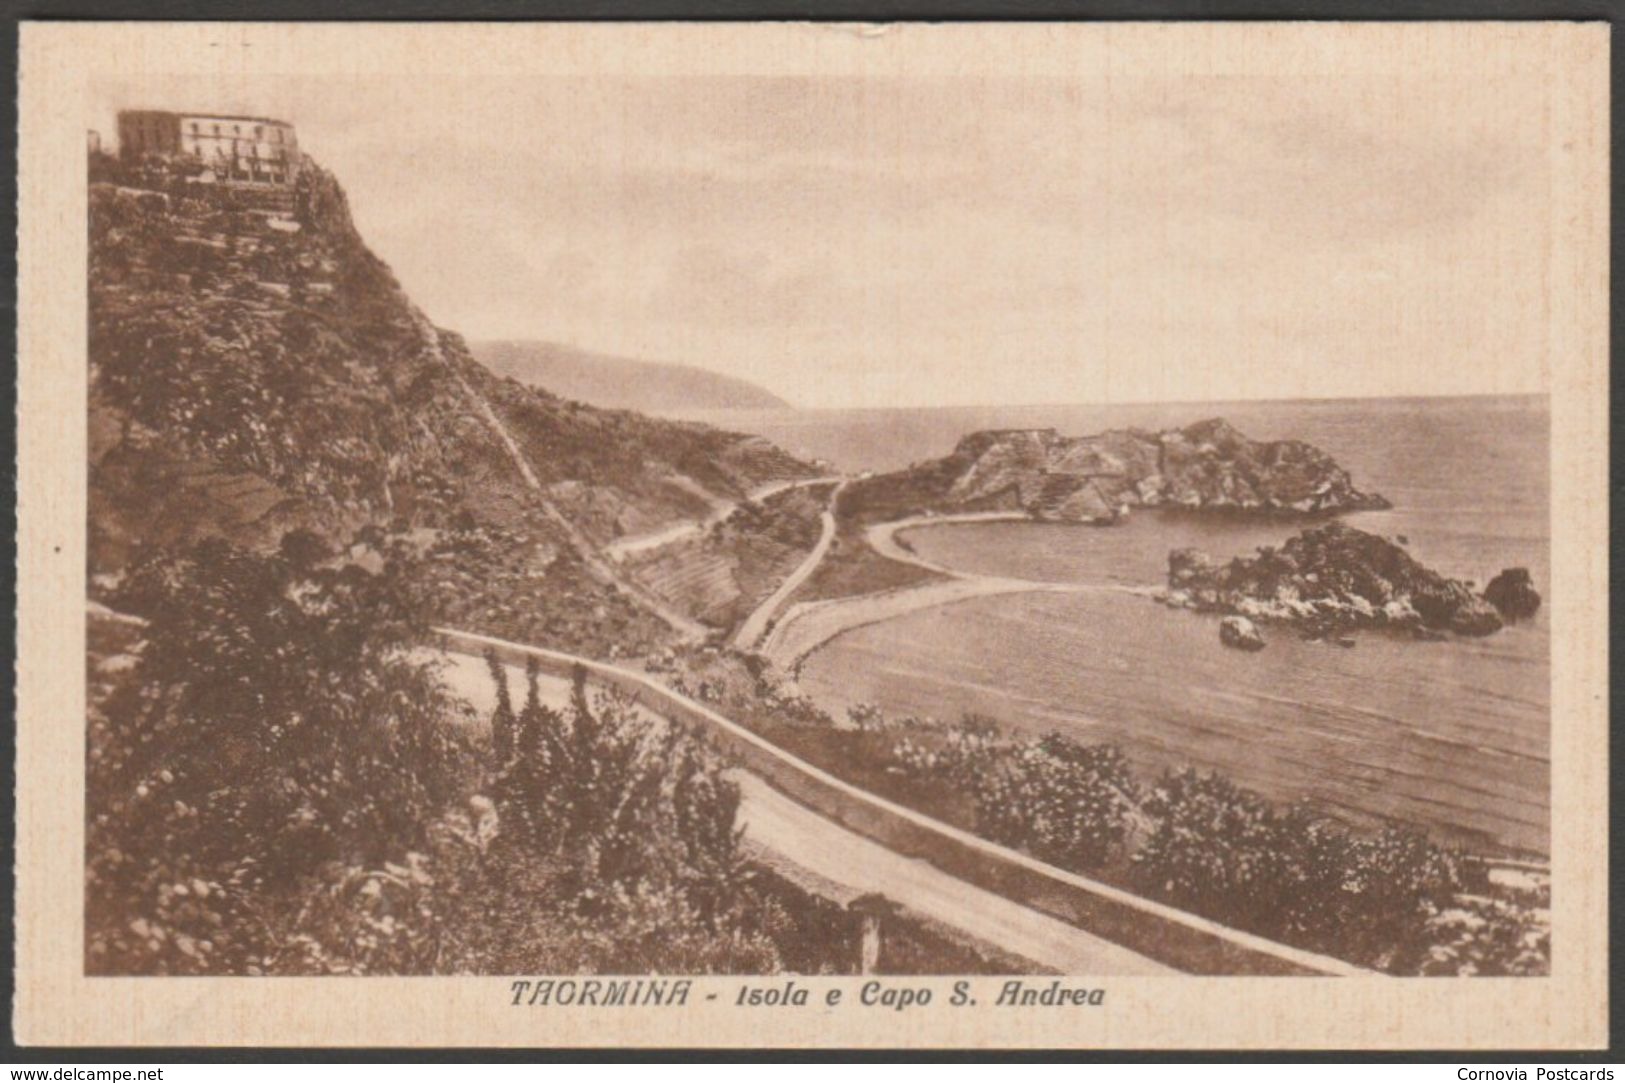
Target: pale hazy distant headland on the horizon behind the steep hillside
<point>622,383</point>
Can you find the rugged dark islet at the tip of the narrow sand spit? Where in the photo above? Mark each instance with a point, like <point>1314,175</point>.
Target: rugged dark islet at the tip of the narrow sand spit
<point>1330,580</point>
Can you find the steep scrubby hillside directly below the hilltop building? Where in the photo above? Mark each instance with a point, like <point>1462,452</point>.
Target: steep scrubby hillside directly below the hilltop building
<point>258,370</point>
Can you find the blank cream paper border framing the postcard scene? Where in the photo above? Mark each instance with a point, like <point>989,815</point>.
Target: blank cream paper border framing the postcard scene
<point>59,1006</point>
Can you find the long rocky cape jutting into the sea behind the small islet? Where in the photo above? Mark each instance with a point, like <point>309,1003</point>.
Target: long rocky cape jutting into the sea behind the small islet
<point>1099,479</point>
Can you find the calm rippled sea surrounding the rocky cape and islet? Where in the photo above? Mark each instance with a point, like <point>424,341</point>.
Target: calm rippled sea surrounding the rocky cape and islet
<point>1447,736</point>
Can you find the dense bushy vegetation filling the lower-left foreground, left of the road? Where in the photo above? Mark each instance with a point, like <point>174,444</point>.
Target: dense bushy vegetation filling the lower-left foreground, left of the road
<point>279,786</point>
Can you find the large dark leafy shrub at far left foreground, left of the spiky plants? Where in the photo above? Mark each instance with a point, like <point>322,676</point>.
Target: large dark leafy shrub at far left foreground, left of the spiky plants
<point>272,726</point>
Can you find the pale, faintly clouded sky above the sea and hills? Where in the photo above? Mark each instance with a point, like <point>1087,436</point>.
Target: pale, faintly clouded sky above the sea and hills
<point>938,240</point>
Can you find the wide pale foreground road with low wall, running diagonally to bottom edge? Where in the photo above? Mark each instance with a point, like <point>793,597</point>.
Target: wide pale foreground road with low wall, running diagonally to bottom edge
<point>867,843</point>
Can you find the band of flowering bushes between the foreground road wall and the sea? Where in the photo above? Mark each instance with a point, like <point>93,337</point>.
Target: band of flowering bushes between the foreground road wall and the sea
<point>1390,900</point>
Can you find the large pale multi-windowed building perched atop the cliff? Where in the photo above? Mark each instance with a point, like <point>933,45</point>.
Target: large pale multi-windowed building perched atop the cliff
<point>245,150</point>
